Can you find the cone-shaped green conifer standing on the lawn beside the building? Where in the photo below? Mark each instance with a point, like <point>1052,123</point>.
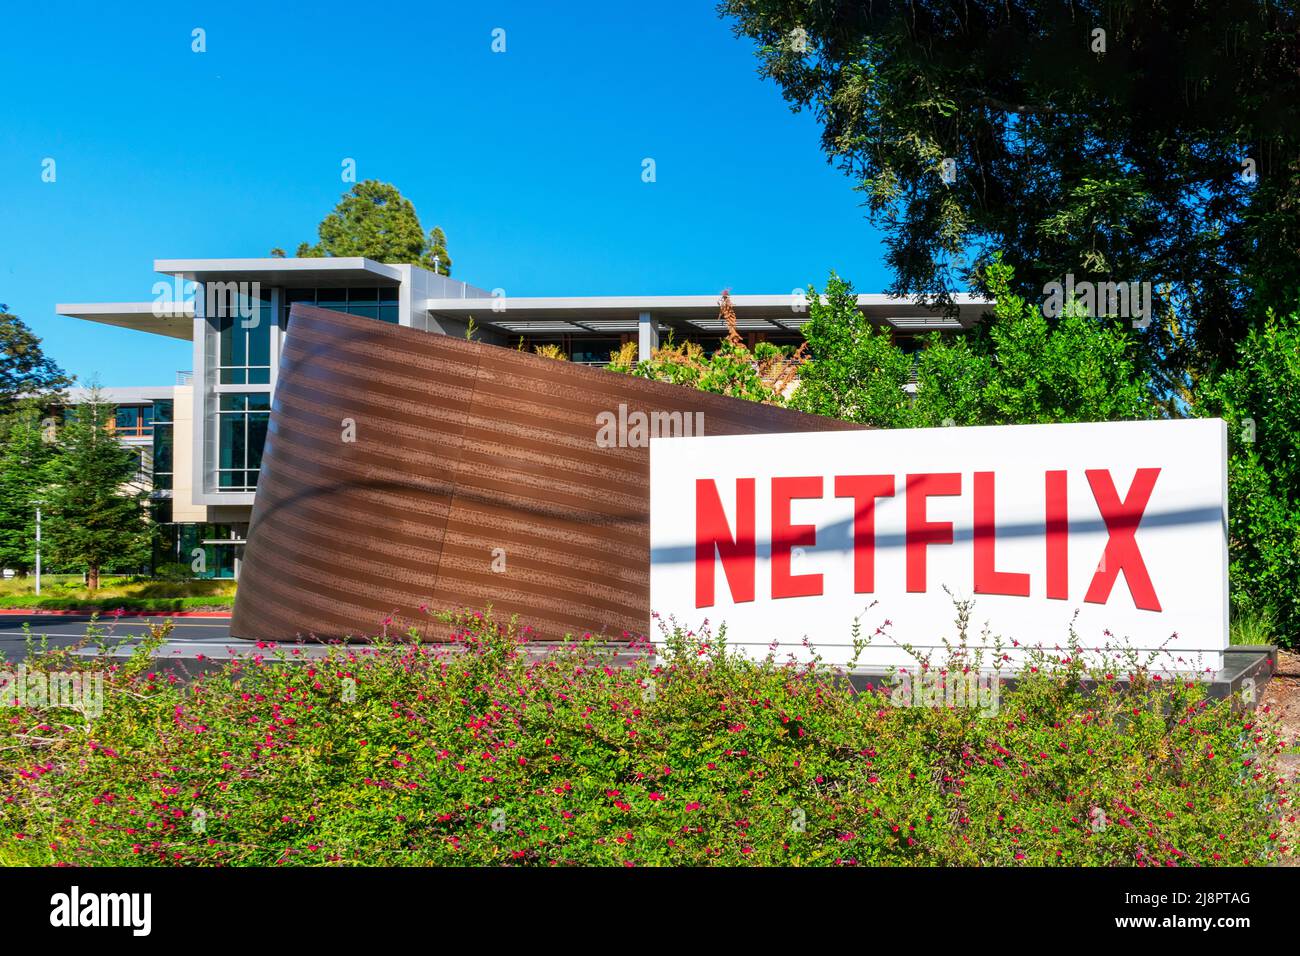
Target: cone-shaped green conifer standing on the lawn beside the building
<point>97,511</point>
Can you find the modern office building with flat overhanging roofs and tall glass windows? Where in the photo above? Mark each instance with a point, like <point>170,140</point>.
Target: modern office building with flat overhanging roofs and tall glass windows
<point>206,434</point>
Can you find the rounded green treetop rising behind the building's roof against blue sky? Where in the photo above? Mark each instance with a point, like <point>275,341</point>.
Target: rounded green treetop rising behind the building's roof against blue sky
<point>375,220</point>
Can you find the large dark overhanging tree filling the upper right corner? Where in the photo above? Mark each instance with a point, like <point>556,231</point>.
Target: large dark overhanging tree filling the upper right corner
<point>1113,140</point>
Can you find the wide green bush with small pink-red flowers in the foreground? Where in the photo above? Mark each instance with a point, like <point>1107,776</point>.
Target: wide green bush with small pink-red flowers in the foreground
<point>479,752</point>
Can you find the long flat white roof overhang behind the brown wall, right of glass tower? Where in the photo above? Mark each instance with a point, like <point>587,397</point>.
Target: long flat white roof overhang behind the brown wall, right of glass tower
<point>699,314</point>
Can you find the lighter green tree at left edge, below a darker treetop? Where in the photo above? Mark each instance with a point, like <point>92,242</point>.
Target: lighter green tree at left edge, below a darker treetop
<point>24,460</point>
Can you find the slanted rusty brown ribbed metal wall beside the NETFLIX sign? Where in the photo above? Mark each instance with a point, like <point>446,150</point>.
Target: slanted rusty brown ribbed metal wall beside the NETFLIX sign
<point>460,449</point>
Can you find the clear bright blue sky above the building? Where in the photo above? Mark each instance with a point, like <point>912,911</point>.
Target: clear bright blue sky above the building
<point>531,161</point>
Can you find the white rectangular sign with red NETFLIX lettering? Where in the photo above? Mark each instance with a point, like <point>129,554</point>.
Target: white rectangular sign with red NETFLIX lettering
<point>1117,529</point>
